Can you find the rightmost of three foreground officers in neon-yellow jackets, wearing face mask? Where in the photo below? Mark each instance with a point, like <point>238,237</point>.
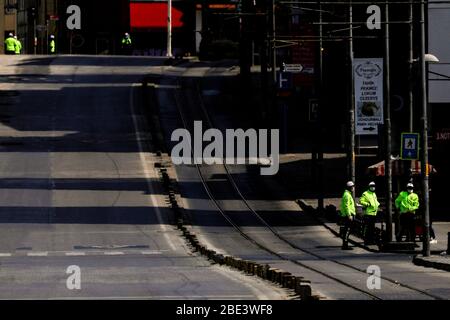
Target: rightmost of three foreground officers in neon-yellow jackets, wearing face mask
<point>407,203</point>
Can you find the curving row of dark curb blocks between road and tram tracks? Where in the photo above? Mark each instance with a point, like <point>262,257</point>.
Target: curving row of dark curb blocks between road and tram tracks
<point>299,285</point>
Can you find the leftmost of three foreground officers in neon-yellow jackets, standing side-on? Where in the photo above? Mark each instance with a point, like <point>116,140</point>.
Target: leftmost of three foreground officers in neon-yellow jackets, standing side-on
<point>347,214</point>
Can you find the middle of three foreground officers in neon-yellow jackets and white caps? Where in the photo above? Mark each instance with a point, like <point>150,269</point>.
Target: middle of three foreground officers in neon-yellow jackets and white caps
<point>370,205</point>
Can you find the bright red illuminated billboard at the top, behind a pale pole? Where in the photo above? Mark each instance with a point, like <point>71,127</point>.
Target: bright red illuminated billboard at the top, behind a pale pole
<point>153,15</point>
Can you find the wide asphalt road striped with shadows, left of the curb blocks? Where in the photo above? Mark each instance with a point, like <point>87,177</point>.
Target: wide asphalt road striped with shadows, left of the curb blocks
<point>78,188</point>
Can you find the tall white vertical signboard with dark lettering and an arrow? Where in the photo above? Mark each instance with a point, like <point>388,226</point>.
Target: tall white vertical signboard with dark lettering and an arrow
<point>368,76</point>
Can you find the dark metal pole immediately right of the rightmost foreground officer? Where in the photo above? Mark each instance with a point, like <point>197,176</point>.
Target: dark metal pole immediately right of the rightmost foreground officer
<point>424,149</point>
